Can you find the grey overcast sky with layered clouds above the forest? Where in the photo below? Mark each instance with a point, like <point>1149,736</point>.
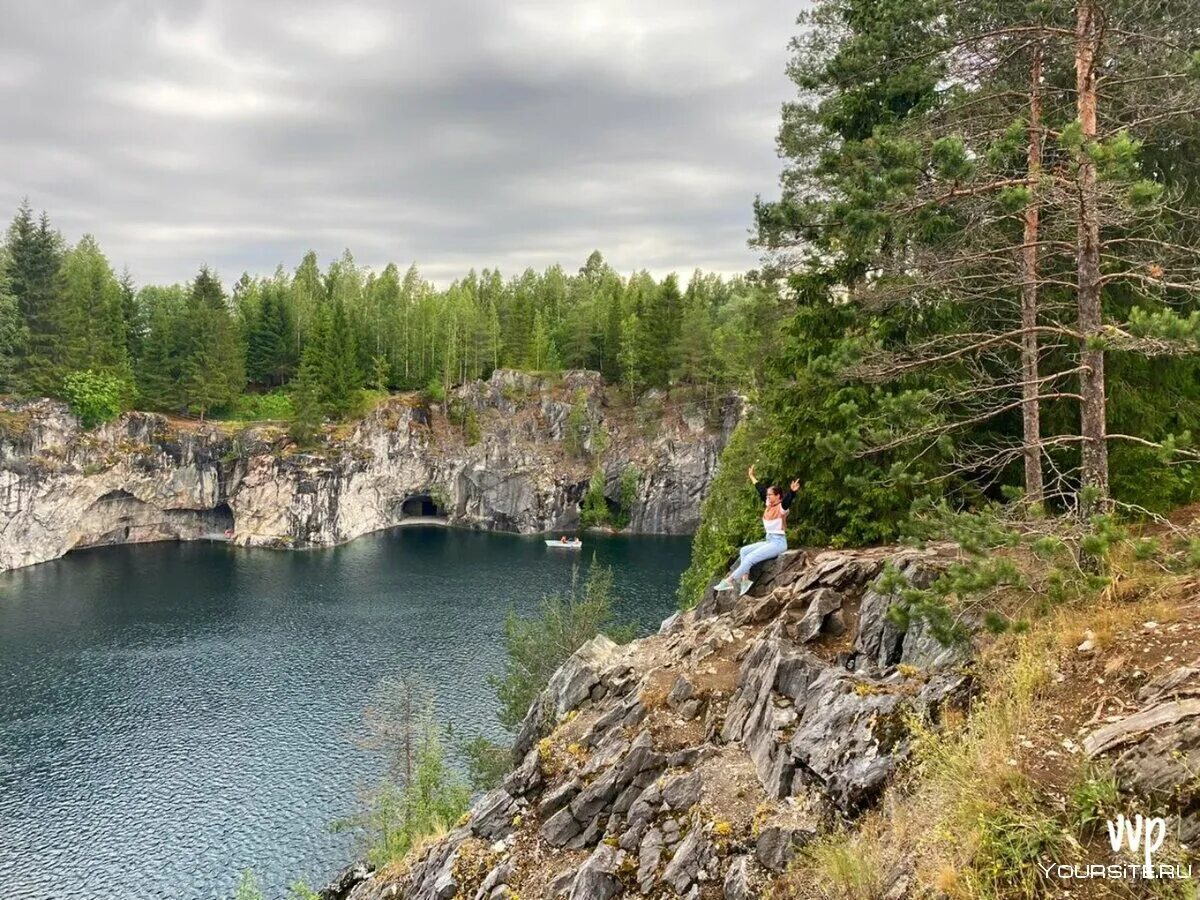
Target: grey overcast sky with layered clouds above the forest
<point>453,134</point>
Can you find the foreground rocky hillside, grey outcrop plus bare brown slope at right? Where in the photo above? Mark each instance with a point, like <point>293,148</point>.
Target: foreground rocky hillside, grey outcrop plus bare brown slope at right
<point>701,761</point>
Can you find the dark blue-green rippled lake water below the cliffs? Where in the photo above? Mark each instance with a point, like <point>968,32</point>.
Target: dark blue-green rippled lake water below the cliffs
<point>172,715</point>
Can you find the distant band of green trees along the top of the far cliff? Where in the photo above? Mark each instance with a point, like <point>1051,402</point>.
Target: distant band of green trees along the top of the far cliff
<point>308,343</point>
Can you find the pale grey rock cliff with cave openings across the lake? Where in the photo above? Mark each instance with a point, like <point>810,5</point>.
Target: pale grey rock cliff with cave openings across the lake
<point>147,478</point>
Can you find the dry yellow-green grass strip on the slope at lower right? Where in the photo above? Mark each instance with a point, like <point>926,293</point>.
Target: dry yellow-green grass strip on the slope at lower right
<point>963,818</point>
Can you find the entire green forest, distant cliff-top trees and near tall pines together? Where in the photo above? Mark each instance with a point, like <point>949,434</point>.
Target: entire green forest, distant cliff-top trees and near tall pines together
<point>980,281</point>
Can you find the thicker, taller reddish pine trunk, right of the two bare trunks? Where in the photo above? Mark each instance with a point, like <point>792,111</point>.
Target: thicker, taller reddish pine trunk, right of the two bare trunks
<point>1093,427</point>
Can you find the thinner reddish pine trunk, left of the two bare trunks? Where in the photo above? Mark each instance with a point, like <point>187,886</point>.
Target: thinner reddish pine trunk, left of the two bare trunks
<point>1030,411</point>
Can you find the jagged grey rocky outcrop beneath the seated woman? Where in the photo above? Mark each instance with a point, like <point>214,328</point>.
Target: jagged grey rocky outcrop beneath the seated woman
<point>699,761</point>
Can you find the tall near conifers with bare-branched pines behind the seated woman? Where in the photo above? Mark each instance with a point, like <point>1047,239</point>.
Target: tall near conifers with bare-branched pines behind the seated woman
<point>989,243</point>
